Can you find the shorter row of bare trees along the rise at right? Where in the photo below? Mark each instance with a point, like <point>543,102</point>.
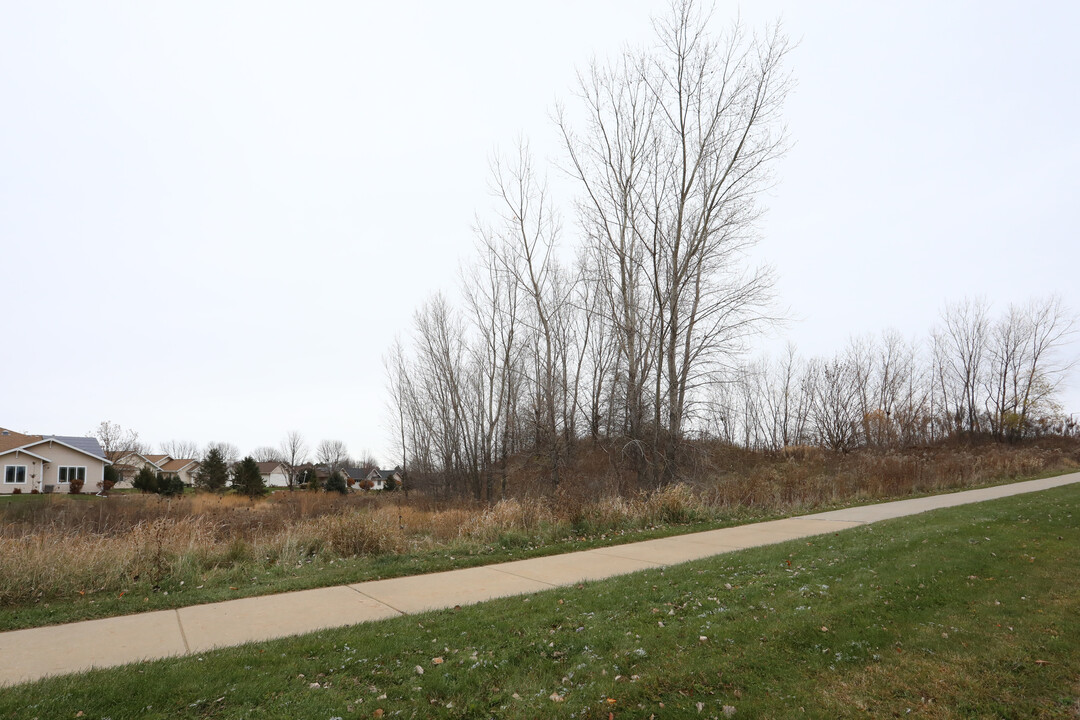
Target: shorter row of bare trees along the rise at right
<point>975,375</point>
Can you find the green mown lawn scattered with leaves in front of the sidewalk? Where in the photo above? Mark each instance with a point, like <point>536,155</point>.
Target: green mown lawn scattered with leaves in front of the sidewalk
<point>968,613</point>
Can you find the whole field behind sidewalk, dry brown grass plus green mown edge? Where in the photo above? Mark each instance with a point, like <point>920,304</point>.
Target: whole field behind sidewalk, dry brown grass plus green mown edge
<point>69,559</point>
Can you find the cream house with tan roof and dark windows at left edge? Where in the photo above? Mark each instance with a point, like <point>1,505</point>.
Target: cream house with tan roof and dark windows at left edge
<point>48,464</point>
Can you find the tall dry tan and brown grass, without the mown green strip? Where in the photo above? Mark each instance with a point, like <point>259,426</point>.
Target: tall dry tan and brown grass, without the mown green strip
<point>57,547</point>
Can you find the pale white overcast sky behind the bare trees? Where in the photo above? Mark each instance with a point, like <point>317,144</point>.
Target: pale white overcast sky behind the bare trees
<point>215,219</point>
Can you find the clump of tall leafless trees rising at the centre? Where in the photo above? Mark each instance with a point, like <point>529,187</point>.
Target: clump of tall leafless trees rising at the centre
<point>622,334</point>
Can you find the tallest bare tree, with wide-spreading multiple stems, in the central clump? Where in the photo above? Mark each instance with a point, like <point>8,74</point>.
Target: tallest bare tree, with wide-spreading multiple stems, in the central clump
<point>679,146</point>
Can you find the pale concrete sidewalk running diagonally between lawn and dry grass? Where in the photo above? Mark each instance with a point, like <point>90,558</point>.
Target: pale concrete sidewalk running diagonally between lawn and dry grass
<point>39,653</point>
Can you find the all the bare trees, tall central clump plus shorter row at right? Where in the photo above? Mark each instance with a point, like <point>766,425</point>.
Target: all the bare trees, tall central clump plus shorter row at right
<point>633,334</point>
